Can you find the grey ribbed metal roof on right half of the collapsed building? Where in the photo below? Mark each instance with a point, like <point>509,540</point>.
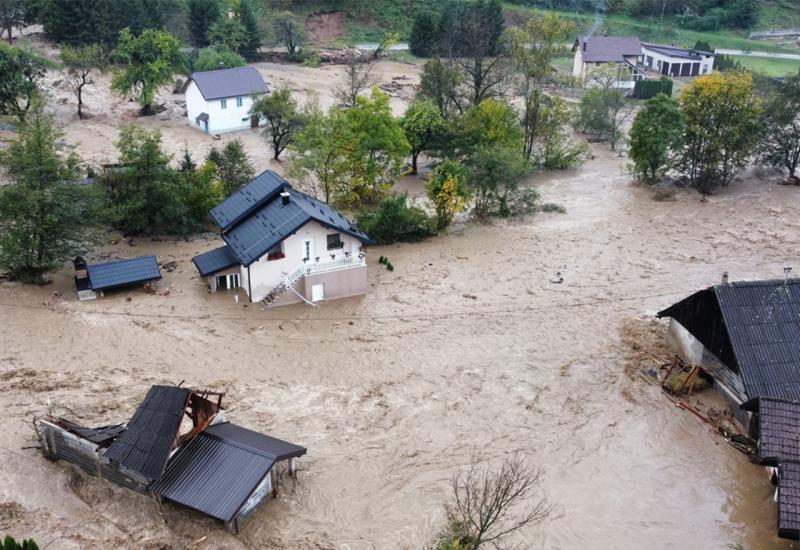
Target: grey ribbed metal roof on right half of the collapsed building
<point>217,471</point>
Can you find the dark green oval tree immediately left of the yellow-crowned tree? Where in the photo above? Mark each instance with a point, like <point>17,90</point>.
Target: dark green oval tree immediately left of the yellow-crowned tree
<point>656,135</point>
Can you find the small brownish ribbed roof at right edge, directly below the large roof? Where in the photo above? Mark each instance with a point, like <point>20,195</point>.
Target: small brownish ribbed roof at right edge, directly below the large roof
<point>778,431</point>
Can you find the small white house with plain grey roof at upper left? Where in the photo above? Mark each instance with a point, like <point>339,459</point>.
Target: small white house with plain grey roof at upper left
<point>220,101</point>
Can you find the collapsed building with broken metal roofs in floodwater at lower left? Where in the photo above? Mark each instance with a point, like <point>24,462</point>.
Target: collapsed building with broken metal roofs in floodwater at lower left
<point>213,466</point>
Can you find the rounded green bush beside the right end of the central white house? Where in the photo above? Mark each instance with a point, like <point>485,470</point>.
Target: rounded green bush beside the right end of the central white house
<point>395,220</point>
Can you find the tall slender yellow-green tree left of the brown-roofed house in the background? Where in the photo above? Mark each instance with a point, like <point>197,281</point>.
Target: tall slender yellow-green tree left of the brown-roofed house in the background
<point>533,47</point>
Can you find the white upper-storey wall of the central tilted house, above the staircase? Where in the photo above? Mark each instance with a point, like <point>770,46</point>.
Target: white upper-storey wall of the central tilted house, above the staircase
<point>267,274</point>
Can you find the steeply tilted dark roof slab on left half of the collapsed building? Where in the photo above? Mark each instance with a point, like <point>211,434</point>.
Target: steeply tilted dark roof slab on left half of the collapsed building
<point>151,433</point>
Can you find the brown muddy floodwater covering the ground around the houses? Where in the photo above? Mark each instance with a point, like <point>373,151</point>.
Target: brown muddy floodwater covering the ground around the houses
<point>466,349</point>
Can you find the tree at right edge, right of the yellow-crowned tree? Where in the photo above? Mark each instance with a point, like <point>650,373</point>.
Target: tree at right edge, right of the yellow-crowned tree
<point>781,143</point>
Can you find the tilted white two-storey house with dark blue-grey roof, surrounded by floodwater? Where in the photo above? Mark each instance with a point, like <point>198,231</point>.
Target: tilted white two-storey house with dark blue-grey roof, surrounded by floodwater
<point>283,246</point>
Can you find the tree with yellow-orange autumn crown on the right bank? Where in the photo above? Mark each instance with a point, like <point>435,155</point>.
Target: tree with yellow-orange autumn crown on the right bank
<point>723,118</point>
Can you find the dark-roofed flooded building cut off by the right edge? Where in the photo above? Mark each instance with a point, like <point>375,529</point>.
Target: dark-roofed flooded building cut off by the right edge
<point>745,336</point>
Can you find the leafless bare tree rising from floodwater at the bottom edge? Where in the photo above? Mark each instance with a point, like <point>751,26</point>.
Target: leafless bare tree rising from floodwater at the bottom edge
<point>487,507</point>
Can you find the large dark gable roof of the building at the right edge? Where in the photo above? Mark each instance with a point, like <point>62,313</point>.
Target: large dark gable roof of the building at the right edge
<point>762,332</point>
